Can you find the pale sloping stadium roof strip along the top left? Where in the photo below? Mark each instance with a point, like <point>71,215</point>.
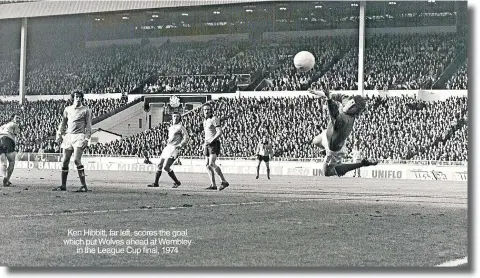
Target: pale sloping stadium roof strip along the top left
<point>58,7</point>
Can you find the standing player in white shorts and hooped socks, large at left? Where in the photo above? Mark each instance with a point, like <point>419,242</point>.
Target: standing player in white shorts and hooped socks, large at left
<point>73,134</point>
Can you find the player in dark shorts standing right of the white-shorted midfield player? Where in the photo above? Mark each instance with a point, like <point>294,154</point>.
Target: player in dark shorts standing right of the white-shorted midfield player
<point>213,132</point>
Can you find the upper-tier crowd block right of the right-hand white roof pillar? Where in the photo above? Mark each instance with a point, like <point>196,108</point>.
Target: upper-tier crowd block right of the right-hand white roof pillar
<point>397,62</point>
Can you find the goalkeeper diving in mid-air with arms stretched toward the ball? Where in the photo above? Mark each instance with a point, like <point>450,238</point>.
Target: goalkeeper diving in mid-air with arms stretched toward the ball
<point>339,127</point>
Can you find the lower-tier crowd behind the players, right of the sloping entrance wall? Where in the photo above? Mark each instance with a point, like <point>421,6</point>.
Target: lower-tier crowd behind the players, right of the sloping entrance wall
<point>391,128</point>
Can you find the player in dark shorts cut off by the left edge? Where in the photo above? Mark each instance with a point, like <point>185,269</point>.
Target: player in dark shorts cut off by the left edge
<point>8,139</point>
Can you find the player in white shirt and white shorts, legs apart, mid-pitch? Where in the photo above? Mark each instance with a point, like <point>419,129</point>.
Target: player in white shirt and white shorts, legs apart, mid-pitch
<point>177,139</point>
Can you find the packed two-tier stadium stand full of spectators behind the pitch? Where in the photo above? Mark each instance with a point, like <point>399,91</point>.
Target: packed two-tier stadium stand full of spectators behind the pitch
<point>391,128</point>
